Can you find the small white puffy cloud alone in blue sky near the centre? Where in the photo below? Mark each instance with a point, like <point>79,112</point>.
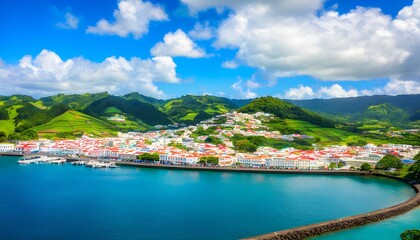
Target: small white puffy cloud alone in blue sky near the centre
<point>177,44</point>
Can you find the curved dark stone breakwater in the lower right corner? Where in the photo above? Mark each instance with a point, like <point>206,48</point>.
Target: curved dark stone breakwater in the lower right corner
<point>347,222</point>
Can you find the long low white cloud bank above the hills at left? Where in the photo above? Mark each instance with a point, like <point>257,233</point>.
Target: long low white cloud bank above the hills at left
<point>48,74</point>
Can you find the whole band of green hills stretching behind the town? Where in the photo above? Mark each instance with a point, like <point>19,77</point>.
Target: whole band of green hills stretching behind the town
<point>349,120</point>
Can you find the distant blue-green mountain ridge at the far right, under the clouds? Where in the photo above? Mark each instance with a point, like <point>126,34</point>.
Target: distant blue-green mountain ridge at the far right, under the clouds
<point>397,110</point>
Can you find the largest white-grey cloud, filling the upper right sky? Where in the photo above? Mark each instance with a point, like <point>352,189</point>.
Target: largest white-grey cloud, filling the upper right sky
<point>290,38</point>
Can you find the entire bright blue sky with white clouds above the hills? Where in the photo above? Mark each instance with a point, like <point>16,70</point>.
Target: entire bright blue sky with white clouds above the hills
<point>293,49</point>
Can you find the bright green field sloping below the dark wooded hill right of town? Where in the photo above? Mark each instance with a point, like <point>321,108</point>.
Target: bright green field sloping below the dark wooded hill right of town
<point>327,135</point>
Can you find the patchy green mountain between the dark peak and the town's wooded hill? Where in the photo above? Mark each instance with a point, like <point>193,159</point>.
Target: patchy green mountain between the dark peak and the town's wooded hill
<point>193,109</point>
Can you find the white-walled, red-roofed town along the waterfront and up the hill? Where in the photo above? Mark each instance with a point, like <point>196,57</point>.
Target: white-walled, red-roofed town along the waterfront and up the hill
<point>184,146</point>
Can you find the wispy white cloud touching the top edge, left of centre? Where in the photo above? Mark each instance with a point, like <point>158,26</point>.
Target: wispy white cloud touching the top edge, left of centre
<point>131,17</point>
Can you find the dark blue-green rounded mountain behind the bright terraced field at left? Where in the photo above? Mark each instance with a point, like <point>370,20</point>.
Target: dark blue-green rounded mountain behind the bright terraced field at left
<point>133,109</point>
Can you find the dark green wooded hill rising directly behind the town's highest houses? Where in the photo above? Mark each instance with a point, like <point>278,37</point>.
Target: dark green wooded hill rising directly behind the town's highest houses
<point>285,110</point>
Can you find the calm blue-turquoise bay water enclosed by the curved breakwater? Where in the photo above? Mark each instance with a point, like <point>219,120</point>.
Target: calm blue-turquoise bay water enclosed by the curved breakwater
<point>74,202</point>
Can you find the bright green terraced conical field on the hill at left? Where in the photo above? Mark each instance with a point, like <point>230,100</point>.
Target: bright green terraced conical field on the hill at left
<point>73,121</point>
